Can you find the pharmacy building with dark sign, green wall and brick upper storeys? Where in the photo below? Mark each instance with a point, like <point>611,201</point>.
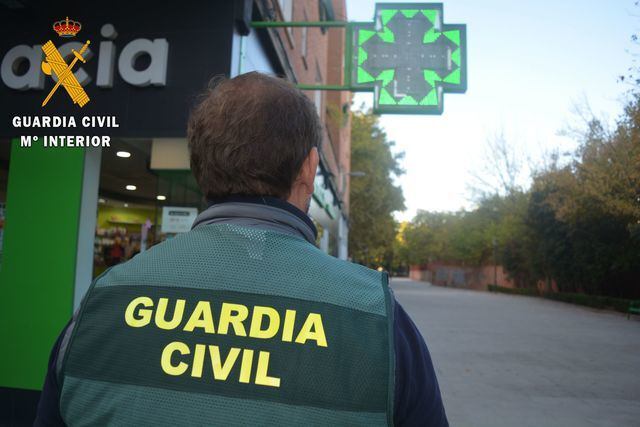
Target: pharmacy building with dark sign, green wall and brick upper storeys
<point>67,214</point>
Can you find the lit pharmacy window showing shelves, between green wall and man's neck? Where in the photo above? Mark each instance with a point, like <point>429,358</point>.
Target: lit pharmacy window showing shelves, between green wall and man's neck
<point>135,201</point>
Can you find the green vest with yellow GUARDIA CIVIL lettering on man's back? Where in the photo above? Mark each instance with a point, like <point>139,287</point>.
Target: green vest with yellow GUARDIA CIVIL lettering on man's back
<point>228,325</point>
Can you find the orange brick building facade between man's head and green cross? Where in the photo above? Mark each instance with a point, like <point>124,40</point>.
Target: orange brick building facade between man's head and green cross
<point>316,56</point>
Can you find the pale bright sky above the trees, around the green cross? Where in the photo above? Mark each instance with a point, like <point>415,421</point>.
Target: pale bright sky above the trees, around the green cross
<point>528,63</point>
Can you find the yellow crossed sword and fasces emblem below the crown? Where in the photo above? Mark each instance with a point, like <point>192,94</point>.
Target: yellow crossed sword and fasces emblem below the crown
<point>64,72</point>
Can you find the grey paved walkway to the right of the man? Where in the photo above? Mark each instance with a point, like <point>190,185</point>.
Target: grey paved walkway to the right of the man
<point>507,360</point>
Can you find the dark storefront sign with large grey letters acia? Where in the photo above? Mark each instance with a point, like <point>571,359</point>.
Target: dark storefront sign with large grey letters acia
<point>145,63</point>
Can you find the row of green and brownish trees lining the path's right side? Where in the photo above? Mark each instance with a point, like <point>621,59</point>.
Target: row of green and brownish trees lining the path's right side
<point>578,225</point>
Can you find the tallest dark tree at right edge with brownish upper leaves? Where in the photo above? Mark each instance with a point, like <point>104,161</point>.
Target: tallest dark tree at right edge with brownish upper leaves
<point>587,214</point>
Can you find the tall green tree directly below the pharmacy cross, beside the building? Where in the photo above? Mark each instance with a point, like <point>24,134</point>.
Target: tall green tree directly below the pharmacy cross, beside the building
<point>374,196</point>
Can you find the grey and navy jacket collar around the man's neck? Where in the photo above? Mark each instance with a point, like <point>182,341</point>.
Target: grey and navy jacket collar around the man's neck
<point>263,212</point>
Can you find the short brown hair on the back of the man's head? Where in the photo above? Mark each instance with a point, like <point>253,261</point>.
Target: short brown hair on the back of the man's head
<point>250,135</point>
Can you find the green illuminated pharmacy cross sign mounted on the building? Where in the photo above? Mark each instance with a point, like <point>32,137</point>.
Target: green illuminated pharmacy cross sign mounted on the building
<point>409,58</point>
